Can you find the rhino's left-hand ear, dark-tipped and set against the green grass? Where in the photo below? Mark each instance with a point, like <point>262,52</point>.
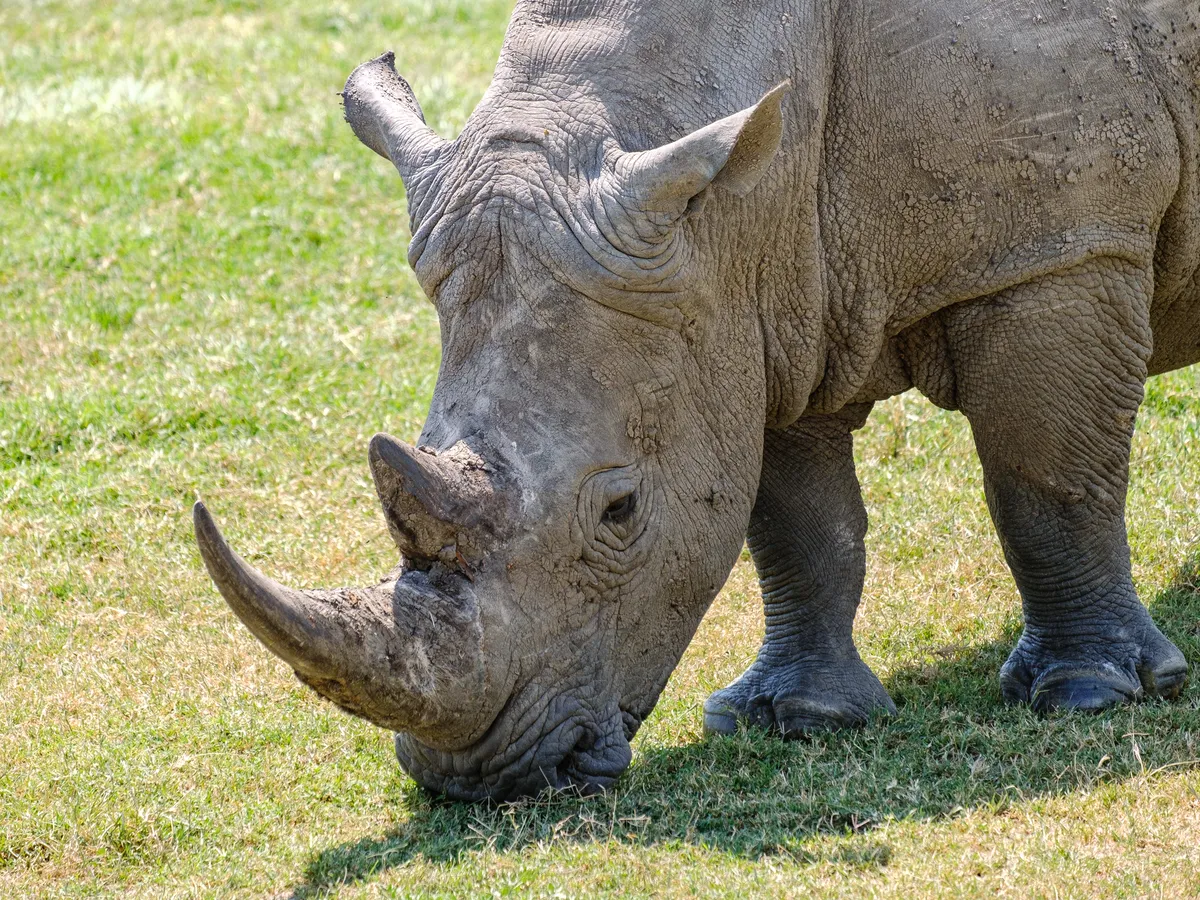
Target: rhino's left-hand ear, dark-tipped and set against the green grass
<point>385,115</point>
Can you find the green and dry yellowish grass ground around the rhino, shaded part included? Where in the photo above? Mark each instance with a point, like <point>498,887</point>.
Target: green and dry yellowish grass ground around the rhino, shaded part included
<point>203,291</point>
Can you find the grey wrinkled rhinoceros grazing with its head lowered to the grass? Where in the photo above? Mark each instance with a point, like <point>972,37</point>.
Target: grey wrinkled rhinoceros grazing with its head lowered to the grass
<point>671,286</point>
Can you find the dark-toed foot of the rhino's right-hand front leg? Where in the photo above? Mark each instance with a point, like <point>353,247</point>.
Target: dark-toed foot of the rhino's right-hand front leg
<point>1094,677</point>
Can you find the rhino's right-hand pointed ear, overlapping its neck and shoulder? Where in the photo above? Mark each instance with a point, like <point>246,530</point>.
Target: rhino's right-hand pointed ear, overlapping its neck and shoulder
<point>733,154</point>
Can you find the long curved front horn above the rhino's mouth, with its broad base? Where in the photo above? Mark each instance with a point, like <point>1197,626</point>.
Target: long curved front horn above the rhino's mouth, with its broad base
<point>401,655</point>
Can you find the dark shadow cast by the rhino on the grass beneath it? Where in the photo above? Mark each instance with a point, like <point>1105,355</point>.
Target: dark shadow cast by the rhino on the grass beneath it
<point>955,747</point>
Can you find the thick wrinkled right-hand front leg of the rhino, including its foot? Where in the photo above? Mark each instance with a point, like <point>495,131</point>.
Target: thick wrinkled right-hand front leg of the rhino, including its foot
<point>1051,376</point>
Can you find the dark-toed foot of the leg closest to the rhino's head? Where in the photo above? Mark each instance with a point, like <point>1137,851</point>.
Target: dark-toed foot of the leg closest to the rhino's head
<point>799,699</point>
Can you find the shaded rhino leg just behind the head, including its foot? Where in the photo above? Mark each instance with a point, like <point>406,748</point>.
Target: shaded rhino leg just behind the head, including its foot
<point>806,537</point>
